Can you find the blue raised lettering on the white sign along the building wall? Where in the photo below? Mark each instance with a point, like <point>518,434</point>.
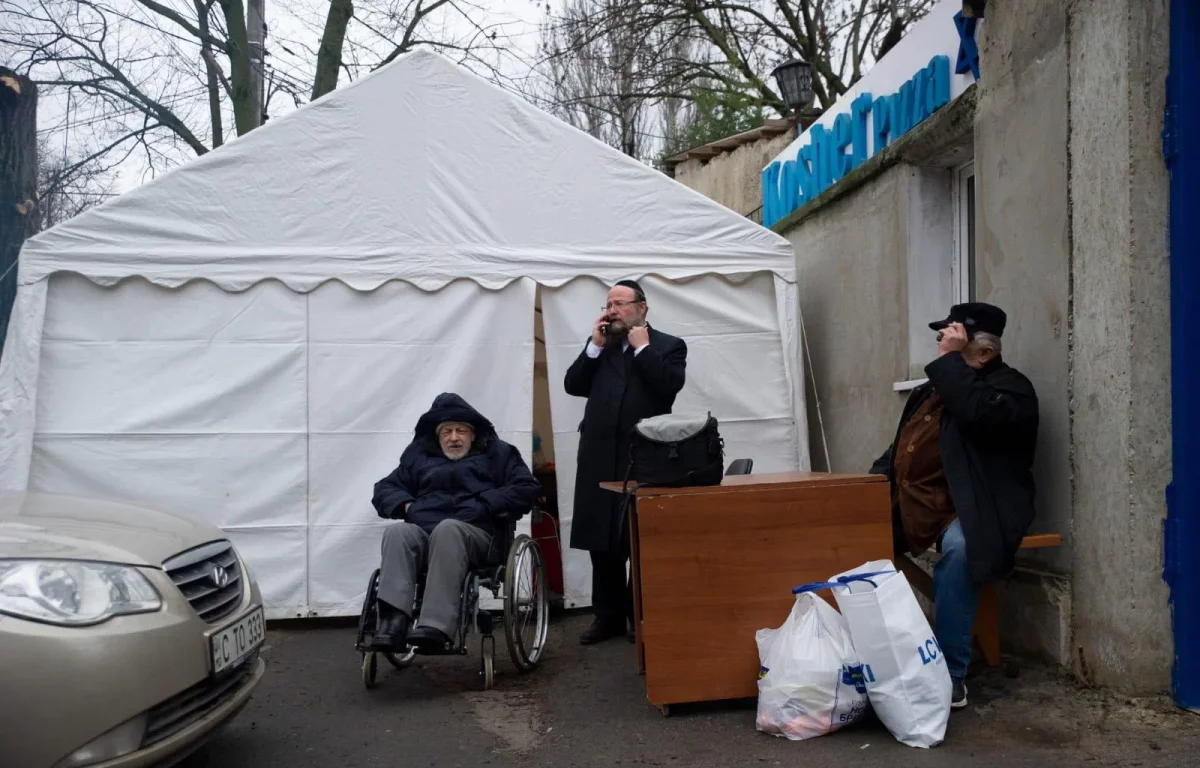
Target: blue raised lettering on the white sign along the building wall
<point>835,152</point>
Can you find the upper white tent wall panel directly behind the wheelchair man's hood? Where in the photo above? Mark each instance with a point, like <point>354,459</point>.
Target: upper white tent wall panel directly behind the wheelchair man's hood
<point>380,359</point>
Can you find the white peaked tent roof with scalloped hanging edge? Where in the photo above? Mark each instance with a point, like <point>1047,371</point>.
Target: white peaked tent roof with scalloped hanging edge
<point>419,172</point>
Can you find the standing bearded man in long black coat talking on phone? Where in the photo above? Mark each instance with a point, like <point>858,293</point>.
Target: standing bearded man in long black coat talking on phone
<point>628,371</point>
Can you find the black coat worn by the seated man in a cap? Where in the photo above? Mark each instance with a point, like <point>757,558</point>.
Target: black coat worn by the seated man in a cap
<point>988,436</point>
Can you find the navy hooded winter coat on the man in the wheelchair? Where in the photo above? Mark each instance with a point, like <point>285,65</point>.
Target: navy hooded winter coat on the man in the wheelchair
<point>490,484</point>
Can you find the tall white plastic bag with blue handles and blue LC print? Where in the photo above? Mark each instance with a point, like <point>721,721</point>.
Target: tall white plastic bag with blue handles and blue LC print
<point>908,681</point>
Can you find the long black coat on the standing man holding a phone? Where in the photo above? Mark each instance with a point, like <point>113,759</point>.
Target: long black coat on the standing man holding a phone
<point>622,389</point>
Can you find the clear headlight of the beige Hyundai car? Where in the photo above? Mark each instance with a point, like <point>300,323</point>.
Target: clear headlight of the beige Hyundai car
<point>74,593</point>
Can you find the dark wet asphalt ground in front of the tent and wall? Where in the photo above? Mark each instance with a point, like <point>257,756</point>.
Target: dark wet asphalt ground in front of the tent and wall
<point>586,707</point>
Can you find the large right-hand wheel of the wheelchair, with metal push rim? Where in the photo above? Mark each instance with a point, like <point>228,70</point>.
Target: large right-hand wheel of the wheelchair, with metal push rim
<point>526,604</point>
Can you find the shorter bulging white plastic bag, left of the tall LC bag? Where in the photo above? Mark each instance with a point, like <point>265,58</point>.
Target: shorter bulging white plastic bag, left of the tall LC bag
<point>811,682</point>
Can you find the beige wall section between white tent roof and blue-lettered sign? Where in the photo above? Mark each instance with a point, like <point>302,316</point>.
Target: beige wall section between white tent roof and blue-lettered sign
<point>734,179</point>
